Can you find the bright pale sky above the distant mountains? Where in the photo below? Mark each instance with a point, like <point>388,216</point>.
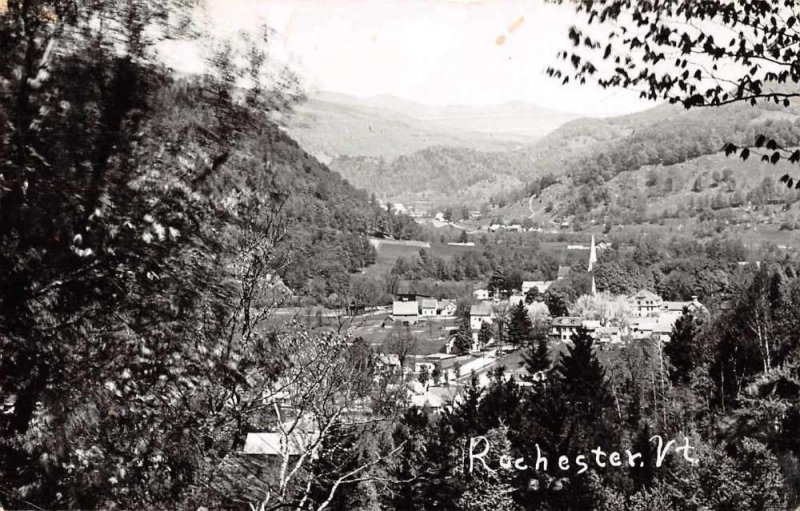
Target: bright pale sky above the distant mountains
<point>437,52</point>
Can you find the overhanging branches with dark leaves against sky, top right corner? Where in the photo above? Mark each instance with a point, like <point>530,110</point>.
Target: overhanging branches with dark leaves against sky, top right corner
<point>634,39</point>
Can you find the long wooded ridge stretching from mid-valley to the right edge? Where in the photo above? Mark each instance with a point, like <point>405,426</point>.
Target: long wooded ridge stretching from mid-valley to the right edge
<point>585,156</point>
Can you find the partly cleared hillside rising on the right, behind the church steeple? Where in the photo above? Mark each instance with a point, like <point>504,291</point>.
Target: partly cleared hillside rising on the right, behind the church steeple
<point>663,165</point>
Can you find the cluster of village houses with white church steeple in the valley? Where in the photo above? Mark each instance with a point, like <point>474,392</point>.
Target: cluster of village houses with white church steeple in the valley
<point>436,380</point>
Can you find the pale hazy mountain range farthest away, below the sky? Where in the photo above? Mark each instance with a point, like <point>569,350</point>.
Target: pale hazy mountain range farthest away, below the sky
<point>329,125</point>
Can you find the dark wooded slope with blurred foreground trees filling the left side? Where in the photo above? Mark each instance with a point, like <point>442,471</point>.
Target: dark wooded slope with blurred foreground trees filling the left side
<point>143,218</point>
